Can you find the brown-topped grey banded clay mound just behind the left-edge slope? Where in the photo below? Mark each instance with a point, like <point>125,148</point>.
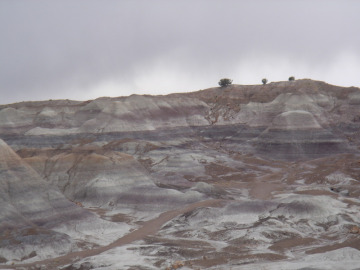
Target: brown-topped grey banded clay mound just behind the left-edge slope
<point>100,177</point>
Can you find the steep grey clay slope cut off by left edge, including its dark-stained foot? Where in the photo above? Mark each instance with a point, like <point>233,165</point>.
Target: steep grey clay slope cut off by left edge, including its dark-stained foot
<point>36,220</point>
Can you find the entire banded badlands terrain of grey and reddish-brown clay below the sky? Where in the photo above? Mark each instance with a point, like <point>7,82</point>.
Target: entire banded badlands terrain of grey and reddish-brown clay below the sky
<point>238,177</point>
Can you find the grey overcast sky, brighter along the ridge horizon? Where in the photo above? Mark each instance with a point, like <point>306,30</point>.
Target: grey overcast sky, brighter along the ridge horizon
<point>86,49</point>
